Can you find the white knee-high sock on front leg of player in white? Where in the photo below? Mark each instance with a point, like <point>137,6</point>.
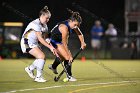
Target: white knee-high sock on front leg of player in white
<point>40,66</point>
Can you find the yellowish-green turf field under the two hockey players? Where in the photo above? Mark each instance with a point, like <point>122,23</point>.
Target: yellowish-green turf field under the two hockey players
<point>94,76</point>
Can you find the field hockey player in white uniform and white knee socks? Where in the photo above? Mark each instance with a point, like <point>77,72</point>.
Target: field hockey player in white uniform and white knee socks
<point>29,44</point>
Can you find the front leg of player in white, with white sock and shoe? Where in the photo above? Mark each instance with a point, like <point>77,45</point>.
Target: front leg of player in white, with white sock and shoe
<point>38,63</point>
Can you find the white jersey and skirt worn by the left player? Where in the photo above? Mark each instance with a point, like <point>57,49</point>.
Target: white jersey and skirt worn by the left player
<point>29,38</point>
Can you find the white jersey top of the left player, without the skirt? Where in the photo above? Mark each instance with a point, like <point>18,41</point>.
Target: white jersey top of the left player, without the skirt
<point>36,26</point>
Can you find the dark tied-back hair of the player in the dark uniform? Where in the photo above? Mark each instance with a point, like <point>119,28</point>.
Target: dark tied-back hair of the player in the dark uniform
<point>75,16</point>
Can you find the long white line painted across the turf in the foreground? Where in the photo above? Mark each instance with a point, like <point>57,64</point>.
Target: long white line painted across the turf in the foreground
<point>44,88</point>
